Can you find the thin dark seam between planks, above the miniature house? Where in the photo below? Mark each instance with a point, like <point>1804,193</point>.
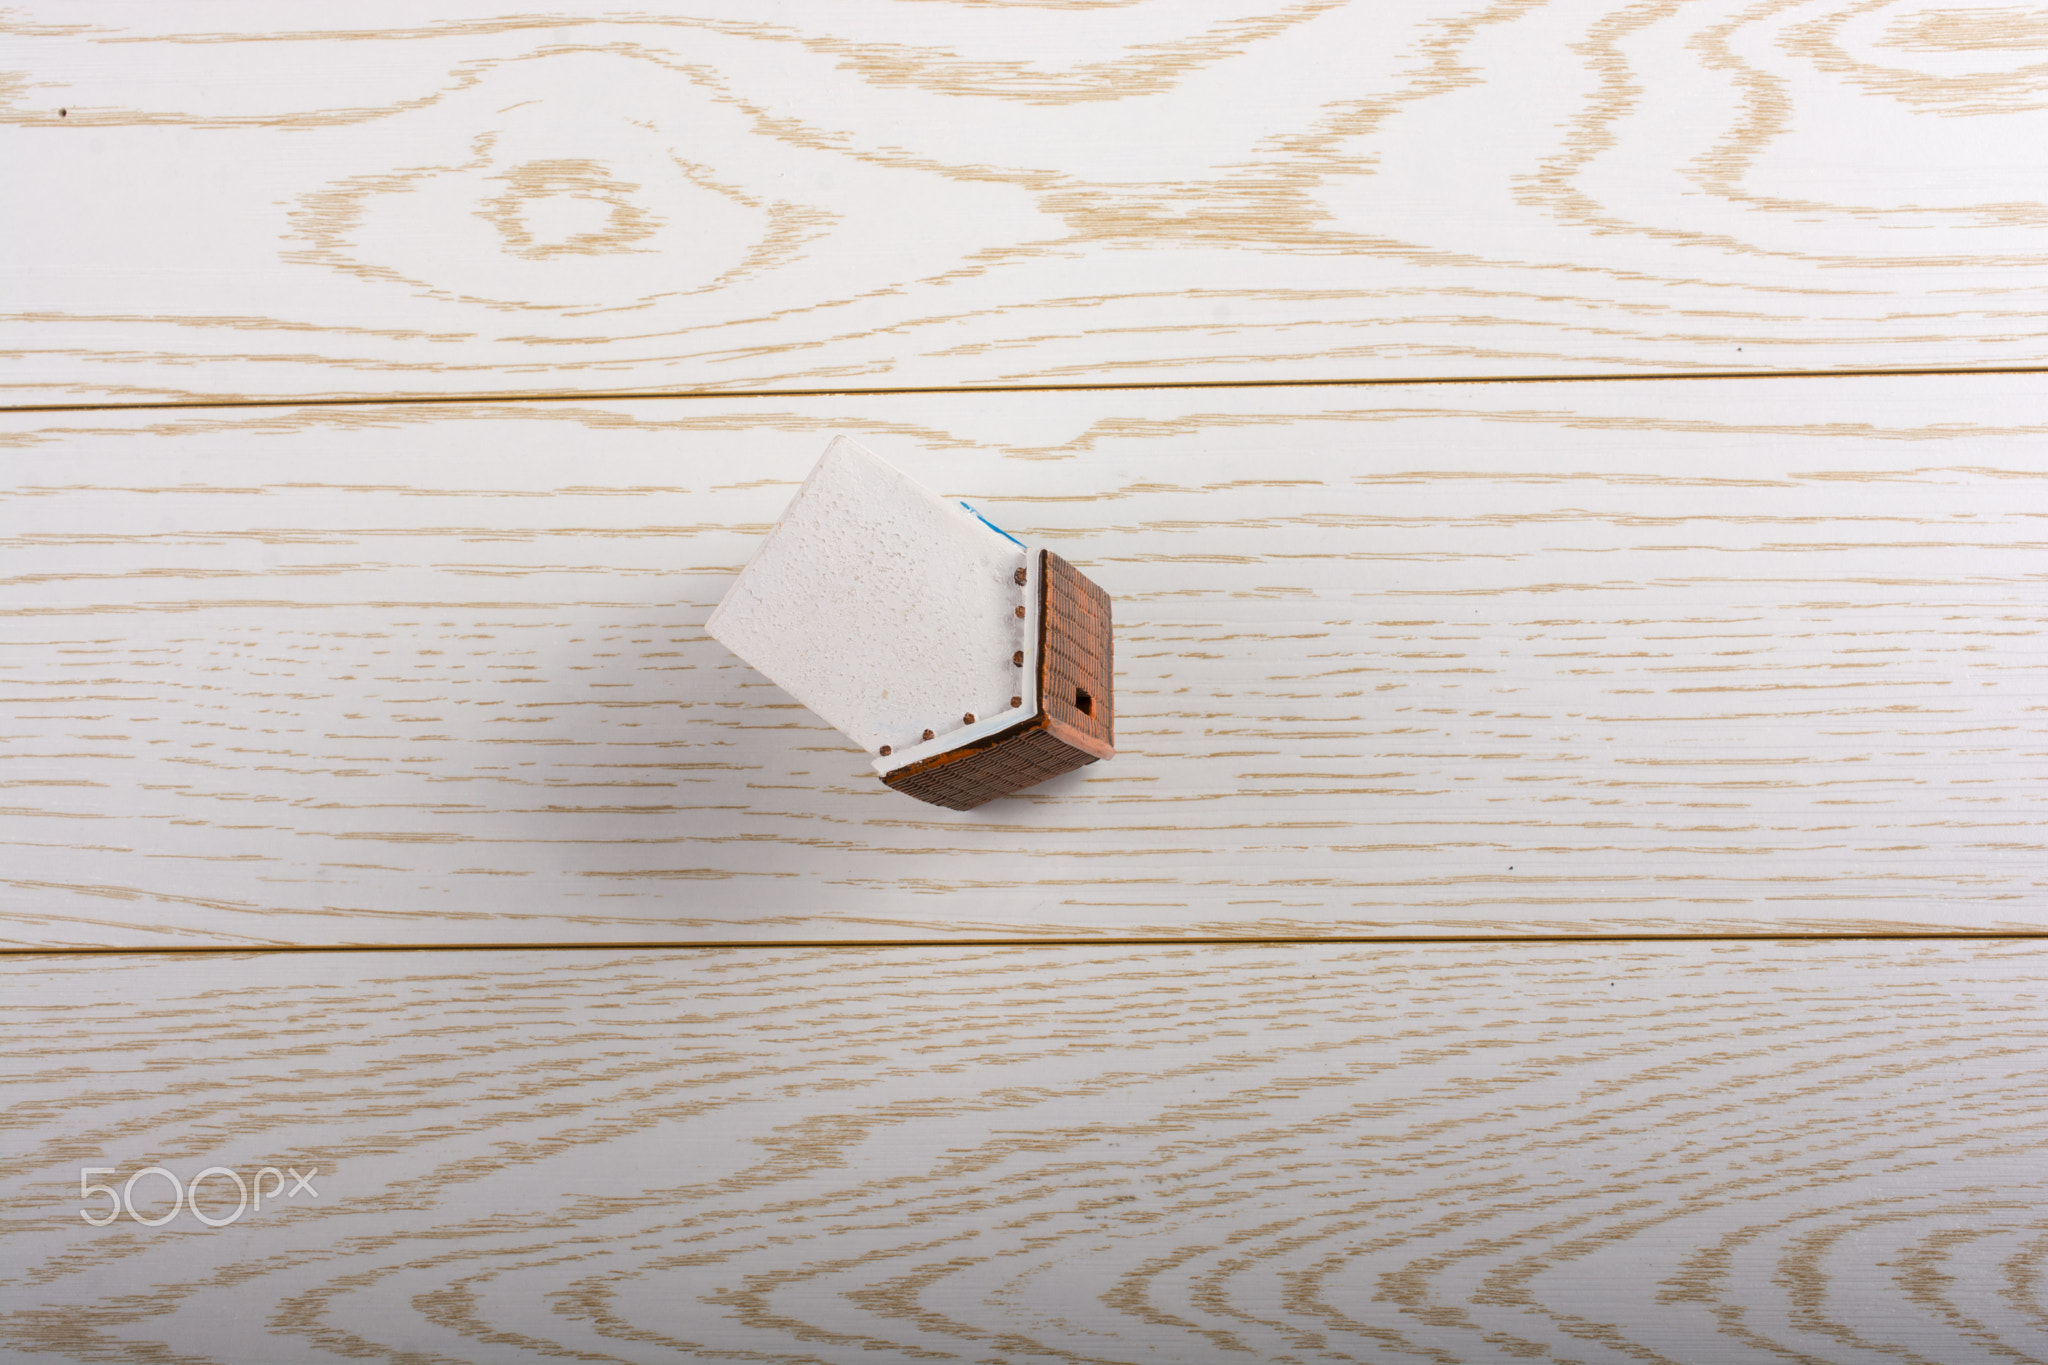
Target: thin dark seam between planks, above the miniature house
<point>636,396</point>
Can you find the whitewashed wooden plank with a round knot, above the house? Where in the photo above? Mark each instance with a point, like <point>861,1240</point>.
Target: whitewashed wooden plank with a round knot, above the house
<point>234,200</point>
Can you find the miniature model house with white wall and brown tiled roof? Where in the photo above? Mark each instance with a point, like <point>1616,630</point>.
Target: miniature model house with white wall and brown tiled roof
<point>966,662</point>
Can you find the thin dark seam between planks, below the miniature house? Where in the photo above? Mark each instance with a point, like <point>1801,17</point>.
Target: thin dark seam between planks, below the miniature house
<point>1410,940</point>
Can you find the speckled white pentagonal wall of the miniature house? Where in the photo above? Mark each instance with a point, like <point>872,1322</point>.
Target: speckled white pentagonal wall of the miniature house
<point>882,607</point>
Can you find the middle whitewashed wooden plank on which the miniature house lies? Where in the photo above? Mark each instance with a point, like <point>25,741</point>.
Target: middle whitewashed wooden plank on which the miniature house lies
<point>1654,658</point>
